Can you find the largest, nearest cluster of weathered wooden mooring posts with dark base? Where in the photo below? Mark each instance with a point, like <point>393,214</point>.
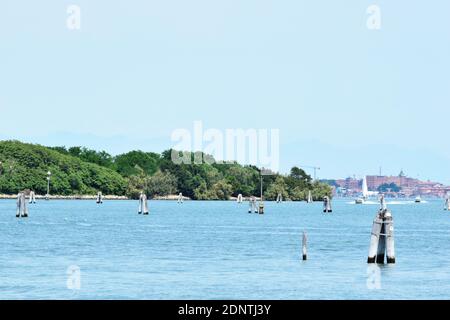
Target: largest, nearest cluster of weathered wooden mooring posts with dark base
<point>382,237</point>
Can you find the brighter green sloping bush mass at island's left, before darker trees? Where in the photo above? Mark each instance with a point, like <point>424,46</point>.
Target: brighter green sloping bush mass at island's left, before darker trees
<point>25,166</point>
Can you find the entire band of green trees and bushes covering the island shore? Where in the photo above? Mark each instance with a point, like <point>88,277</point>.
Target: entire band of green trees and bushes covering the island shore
<point>79,170</point>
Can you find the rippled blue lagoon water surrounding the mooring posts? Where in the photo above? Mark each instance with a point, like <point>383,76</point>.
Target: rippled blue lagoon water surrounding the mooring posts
<point>216,250</point>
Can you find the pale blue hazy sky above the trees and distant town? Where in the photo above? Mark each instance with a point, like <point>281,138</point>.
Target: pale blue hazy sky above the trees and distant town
<point>345,98</point>
